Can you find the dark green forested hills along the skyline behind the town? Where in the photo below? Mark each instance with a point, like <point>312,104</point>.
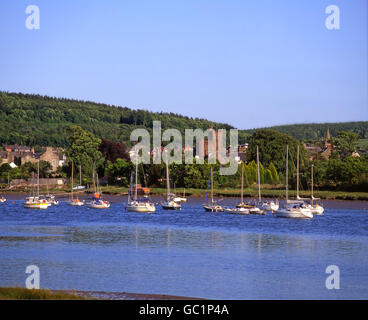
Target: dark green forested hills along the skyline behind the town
<point>40,120</point>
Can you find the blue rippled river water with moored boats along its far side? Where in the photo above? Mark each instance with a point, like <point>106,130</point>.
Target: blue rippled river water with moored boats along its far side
<point>187,253</point>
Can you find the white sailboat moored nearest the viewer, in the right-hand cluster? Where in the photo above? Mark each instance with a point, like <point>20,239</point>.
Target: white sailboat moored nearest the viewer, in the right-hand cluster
<point>292,209</point>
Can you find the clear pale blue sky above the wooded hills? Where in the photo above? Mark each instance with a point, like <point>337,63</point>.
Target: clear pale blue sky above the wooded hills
<point>247,63</point>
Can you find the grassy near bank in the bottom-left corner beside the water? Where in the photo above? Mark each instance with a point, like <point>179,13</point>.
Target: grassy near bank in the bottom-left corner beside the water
<point>16,293</point>
